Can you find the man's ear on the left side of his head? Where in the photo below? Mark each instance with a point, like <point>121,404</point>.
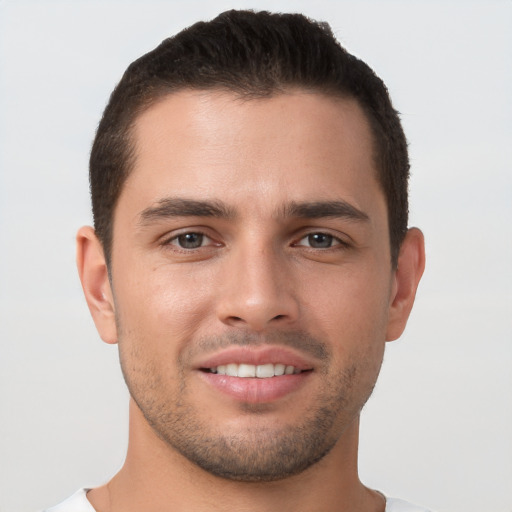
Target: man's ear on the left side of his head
<point>93,272</point>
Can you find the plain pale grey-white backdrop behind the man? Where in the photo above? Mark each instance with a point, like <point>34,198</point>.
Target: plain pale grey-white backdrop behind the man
<point>438,427</point>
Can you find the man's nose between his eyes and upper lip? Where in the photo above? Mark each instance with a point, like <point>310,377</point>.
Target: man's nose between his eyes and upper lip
<point>257,291</point>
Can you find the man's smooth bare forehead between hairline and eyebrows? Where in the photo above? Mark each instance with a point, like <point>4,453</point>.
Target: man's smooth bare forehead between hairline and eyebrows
<point>296,146</point>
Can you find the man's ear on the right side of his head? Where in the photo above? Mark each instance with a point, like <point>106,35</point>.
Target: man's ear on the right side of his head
<point>411,263</point>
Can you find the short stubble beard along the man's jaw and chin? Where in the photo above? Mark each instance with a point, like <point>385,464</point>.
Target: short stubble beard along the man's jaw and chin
<point>254,454</point>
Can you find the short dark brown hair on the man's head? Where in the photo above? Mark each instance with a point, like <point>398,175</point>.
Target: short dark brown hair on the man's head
<point>253,54</point>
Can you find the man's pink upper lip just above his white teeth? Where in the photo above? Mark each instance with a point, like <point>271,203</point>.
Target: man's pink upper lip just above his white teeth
<point>257,356</point>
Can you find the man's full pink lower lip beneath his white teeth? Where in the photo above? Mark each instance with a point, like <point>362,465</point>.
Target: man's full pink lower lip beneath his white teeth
<point>254,390</point>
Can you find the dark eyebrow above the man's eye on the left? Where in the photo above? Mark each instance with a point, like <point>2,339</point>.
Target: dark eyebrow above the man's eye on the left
<point>179,207</point>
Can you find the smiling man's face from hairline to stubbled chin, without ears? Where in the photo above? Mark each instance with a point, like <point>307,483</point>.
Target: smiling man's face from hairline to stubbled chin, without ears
<point>251,277</point>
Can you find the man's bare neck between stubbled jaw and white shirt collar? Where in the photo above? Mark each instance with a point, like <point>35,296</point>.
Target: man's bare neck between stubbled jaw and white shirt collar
<point>157,478</point>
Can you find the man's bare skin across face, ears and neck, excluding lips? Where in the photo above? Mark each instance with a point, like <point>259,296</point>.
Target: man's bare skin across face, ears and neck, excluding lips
<point>266,274</point>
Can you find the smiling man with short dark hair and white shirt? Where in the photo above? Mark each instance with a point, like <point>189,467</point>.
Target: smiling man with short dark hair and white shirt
<point>251,257</point>
